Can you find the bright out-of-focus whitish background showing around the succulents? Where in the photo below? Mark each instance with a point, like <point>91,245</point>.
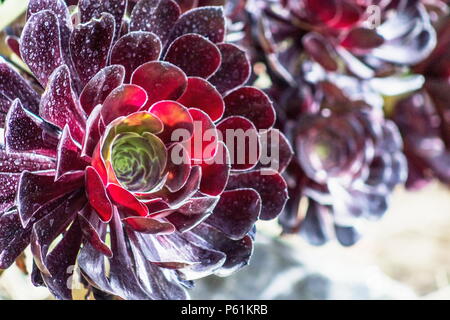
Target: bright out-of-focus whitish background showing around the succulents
<point>404,256</point>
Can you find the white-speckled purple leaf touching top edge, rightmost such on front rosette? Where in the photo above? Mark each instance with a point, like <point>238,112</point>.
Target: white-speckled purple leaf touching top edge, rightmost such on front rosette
<point>157,16</point>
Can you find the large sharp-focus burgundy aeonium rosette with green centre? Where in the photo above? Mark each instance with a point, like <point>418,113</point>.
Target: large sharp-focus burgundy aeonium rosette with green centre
<point>142,163</point>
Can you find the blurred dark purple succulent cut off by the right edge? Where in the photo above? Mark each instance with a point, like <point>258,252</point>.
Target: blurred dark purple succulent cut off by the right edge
<point>424,117</point>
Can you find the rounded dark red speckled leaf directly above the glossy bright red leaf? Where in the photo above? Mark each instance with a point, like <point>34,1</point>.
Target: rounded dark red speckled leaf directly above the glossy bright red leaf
<point>195,55</point>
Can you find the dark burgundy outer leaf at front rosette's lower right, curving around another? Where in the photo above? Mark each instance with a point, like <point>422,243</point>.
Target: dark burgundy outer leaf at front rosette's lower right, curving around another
<point>270,185</point>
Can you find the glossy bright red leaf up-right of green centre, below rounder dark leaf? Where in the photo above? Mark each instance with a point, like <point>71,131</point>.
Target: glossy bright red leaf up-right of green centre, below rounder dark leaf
<point>202,95</point>
